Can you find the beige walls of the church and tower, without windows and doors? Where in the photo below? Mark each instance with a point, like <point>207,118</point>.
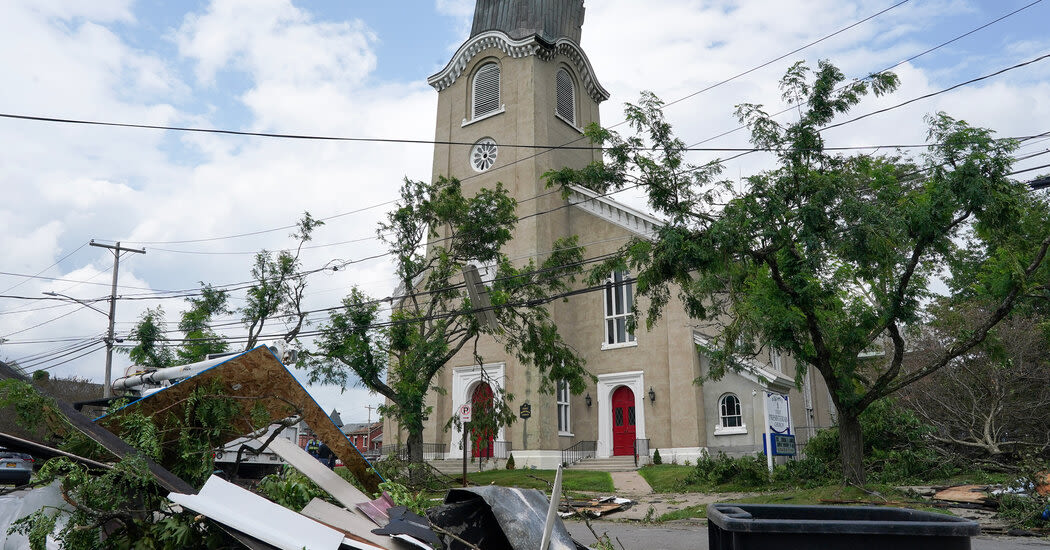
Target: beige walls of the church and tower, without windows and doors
<point>684,418</point>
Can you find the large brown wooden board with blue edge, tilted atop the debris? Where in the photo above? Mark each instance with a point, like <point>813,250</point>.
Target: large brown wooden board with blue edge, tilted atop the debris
<point>258,378</point>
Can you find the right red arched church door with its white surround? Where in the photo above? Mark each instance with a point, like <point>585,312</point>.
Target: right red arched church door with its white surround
<point>622,416</point>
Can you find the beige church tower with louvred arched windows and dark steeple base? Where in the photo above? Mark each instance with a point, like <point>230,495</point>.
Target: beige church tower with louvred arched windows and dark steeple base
<point>521,79</point>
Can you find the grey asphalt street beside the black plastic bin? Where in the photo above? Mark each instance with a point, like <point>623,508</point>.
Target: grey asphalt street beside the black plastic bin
<point>637,536</point>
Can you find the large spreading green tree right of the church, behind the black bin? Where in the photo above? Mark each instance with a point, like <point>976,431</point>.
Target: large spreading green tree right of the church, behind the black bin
<point>830,257</point>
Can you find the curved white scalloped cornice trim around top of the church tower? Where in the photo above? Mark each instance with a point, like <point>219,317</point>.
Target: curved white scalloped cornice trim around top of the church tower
<point>519,49</point>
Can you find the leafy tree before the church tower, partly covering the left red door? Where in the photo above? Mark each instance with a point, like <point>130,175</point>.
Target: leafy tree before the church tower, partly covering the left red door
<point>433,235</point>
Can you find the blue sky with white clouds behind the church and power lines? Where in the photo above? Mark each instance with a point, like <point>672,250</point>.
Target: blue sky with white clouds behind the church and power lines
<point>358,69</point>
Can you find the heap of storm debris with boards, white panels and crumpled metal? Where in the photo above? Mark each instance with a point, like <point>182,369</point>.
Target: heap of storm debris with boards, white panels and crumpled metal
<point>490,518</point>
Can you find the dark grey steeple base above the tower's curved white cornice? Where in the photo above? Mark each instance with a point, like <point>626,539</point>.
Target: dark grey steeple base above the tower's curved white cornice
<point>549,20</point>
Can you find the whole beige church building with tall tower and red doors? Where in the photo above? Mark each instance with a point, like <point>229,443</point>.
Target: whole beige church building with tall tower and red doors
<point>523,78</point>
